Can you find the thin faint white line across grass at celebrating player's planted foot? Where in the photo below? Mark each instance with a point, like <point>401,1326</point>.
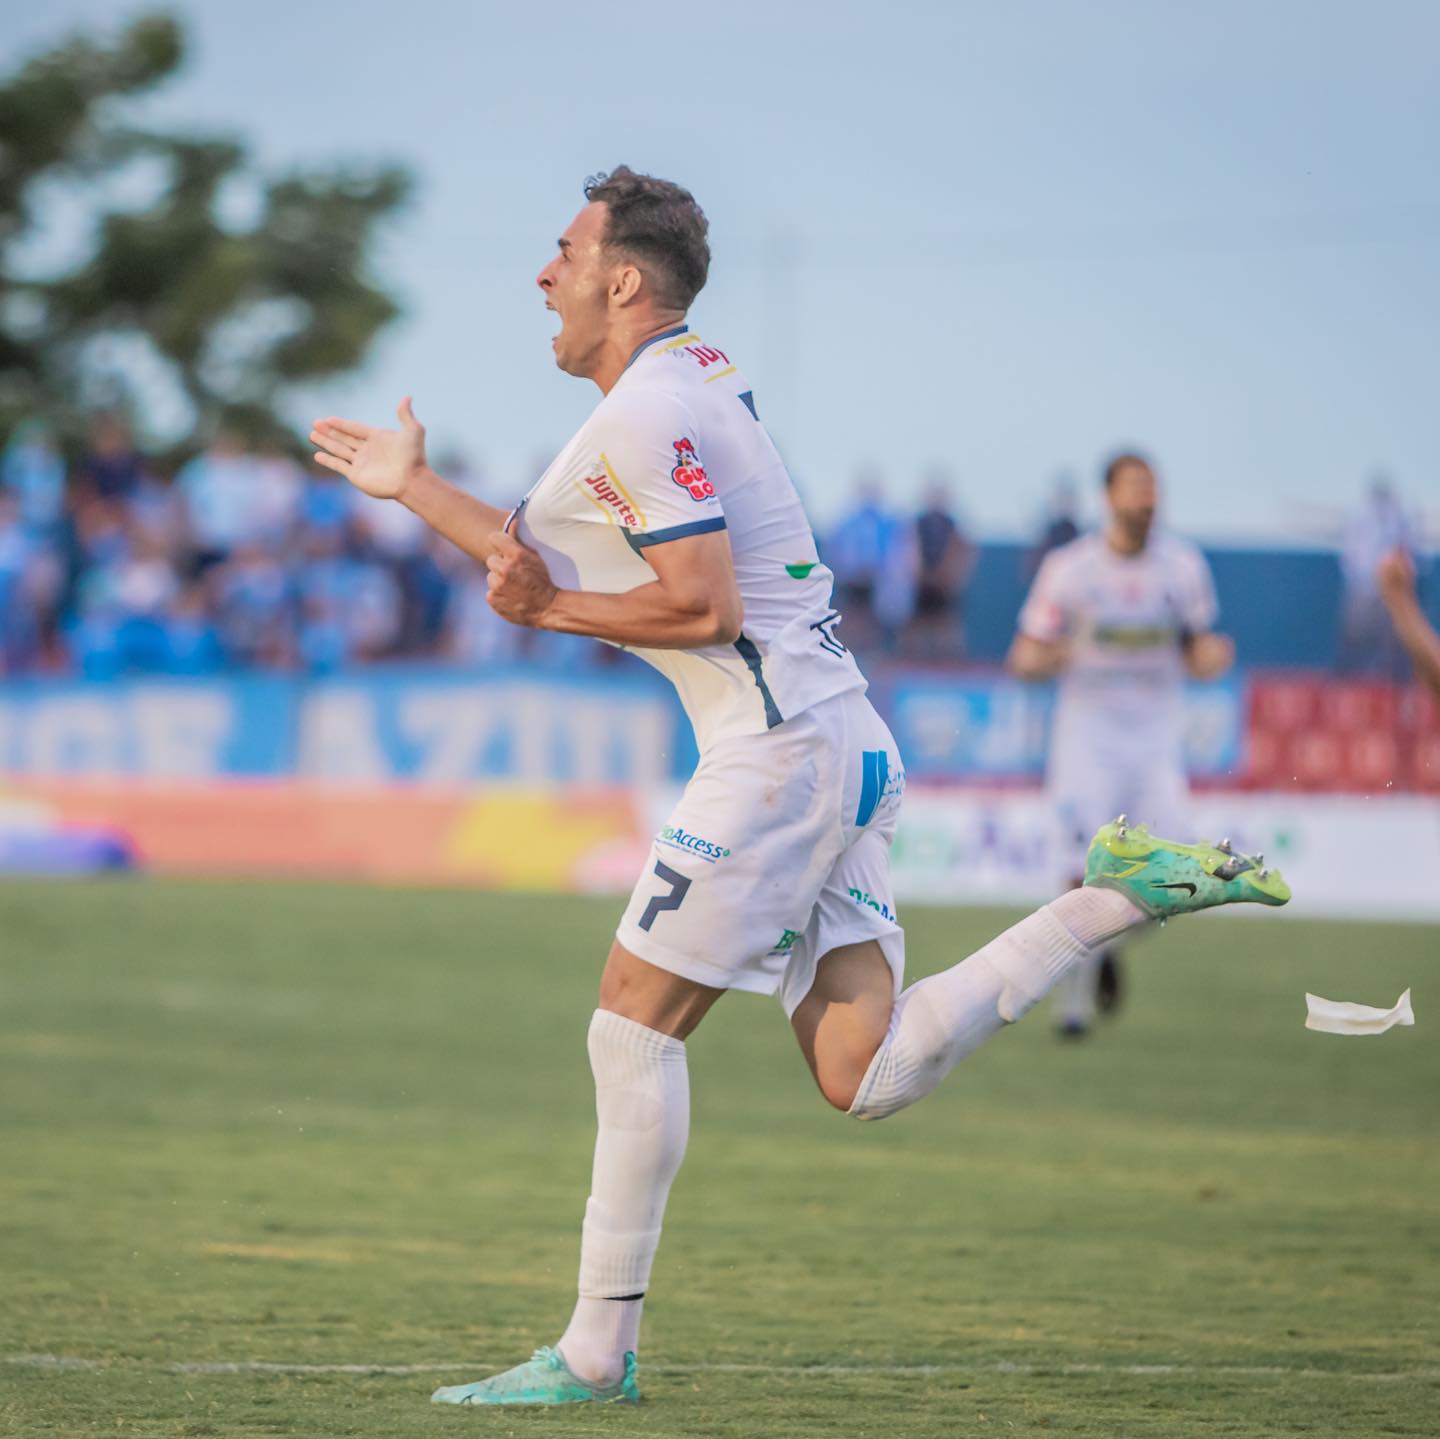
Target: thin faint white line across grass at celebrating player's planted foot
<point>57,1362</point>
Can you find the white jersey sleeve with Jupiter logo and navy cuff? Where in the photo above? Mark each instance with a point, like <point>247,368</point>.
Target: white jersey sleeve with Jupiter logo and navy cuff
<point>650,452</point>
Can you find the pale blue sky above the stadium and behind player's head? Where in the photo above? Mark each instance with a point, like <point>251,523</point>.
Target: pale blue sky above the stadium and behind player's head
<point>997,238</point>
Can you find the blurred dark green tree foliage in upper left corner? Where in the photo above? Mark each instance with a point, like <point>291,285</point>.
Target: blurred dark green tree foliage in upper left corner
<point>175,306</point>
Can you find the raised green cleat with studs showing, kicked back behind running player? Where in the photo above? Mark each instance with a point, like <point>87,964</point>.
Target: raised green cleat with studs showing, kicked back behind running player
<point>1177,879</point>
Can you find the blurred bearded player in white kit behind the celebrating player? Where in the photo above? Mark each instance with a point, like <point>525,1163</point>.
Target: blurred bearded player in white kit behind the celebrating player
<point>1121,619</point>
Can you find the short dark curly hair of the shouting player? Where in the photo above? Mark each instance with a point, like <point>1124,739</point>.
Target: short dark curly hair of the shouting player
<point>657,225</point>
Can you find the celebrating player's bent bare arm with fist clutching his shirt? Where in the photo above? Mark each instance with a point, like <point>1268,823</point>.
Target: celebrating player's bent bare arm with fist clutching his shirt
<point>693,601</point>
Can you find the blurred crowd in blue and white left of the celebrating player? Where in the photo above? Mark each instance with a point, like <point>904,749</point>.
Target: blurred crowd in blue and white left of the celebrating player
<point>238,560</point>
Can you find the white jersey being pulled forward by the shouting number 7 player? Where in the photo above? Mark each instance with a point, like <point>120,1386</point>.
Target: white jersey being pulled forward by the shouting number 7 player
<point>676,449</point>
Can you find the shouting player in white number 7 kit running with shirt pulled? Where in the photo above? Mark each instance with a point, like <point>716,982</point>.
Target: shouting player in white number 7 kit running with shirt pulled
<point>670,528</point>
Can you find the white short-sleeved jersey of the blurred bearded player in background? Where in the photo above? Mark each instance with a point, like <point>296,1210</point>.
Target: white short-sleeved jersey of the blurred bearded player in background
<point>1125,619</point>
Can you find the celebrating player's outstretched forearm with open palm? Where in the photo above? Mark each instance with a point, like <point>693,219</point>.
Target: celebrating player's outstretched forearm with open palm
<point>391,465</point>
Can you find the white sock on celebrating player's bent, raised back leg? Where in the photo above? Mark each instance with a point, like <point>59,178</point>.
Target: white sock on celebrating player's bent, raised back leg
<point>941,1021</point>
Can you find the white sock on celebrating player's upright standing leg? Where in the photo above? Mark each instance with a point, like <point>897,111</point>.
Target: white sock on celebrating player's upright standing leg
<point>643,1110</point>
